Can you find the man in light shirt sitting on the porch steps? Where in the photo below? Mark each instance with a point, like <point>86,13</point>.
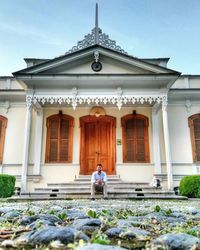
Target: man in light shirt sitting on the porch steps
<point>99,182</point>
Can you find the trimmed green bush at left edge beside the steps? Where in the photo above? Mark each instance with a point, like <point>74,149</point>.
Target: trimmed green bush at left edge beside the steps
<point>7,185</point>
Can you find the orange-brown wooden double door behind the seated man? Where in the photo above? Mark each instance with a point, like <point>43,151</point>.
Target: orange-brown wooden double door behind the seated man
<point>98,136</point>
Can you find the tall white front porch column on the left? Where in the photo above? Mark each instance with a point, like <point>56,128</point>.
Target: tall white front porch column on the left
<point>26,149</point>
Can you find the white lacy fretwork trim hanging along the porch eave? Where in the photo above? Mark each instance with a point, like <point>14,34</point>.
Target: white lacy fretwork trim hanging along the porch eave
<point>76,99</point>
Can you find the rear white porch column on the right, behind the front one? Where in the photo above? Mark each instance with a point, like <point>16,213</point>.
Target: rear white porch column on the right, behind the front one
<point>156,141</point>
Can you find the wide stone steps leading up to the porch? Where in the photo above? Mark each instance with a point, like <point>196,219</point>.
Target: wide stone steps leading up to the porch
<point>117,189</point>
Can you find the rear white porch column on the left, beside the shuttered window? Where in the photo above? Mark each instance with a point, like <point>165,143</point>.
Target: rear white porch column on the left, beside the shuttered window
<point>38,142</point>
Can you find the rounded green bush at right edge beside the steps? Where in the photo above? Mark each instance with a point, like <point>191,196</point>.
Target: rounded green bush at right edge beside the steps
<point>190,186</point>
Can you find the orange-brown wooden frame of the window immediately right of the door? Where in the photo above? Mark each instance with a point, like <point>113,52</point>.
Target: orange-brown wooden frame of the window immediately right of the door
<point>126,118</point>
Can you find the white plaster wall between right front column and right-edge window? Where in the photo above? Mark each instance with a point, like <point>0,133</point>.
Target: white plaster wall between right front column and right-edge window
<point>181,148</point>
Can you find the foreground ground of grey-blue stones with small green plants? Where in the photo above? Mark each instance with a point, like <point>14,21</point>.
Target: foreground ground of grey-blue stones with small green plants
<point>110,224</point>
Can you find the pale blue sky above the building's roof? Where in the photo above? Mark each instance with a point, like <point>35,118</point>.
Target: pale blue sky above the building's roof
<point>143,28</point>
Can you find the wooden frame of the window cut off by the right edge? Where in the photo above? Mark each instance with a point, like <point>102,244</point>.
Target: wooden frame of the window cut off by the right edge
<point>192,135</point>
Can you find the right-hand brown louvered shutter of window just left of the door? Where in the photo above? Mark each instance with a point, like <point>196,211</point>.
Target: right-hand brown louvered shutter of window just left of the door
<point>64,140</point>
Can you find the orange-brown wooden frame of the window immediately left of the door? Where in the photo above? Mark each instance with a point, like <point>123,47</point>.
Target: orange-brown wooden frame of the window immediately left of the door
<point>59,117</point>
